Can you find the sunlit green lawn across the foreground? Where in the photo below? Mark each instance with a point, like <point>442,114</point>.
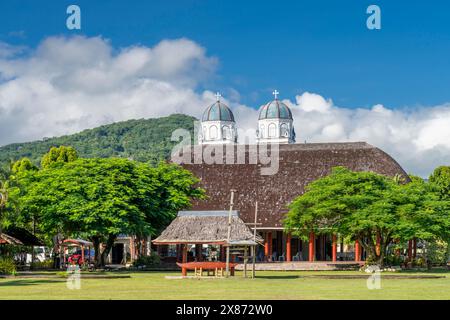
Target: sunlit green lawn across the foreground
<point>267,285</point>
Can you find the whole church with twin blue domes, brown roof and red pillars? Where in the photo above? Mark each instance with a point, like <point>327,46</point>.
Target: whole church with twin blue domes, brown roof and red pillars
<point>299,164</point>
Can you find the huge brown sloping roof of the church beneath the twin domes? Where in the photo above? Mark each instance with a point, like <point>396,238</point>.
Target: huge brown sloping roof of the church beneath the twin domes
<point>299,165</point>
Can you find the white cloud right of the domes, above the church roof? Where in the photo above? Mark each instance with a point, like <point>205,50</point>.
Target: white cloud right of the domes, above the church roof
<point>419,138</point>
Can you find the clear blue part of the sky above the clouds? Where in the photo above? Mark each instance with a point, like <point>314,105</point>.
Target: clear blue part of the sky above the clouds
<point>294,46</point>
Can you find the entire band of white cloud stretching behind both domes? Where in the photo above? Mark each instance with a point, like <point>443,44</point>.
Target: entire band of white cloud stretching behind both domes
<point>69,84</point>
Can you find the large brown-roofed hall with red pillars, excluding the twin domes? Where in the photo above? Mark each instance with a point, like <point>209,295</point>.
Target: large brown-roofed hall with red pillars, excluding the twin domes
<point>296,166</point>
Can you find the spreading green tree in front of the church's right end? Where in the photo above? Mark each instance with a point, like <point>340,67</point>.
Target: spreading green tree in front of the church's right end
<point>365,206</point>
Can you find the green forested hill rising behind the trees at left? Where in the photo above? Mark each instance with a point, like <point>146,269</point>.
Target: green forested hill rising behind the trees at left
<point>142,140</point>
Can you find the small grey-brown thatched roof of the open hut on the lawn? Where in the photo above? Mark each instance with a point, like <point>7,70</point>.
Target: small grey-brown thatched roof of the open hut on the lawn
<point>209,227</point>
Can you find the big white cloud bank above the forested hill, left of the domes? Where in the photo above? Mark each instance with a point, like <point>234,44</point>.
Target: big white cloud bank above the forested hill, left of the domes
<point>70,84</point>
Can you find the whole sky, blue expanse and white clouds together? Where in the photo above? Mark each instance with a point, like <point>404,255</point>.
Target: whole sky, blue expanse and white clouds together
<point>142,59</point>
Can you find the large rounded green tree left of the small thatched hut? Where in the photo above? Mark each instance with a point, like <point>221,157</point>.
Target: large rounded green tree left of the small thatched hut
<point>102,198</point>
